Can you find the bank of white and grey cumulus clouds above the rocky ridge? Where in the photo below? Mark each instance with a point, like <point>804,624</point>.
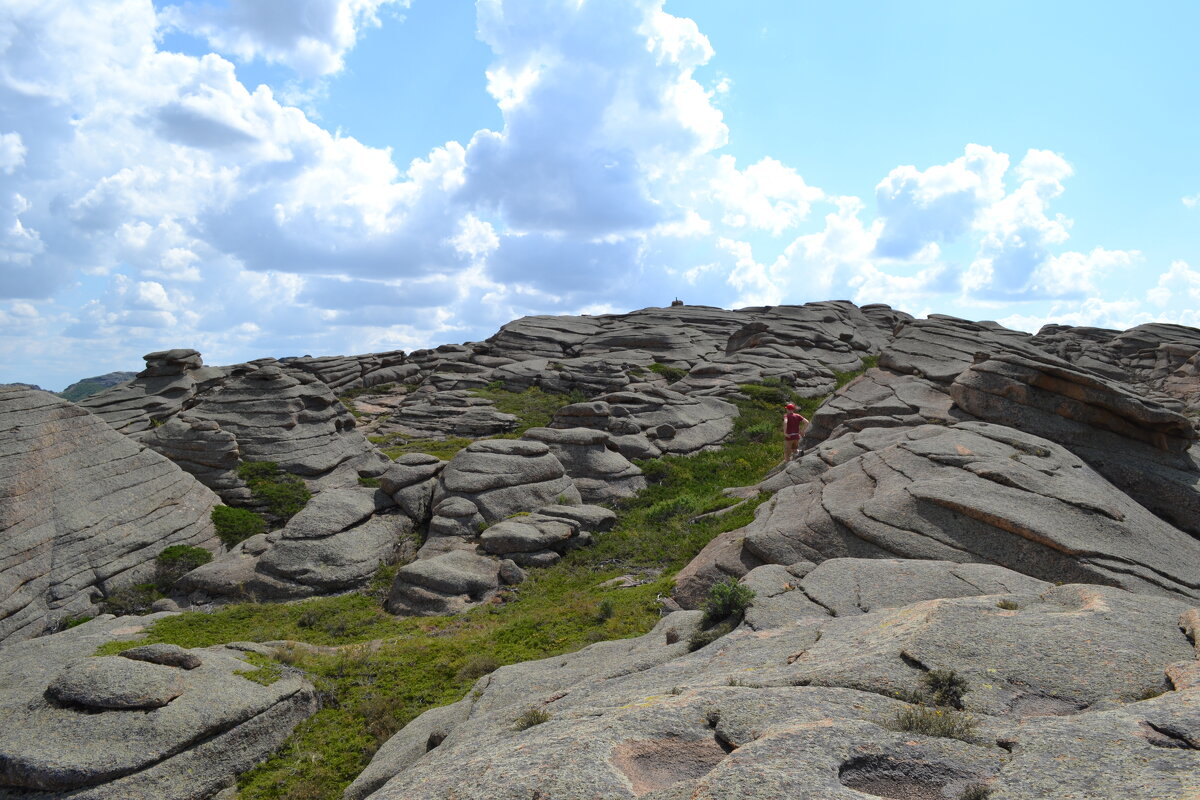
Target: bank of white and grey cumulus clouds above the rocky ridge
<point>193,210</point>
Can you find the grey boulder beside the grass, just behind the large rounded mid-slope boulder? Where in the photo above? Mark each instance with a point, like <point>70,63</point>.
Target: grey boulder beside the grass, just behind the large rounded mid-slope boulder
<point>599,472</point>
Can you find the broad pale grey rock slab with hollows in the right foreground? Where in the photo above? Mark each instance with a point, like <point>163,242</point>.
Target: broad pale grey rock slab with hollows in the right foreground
<point>806,707</point>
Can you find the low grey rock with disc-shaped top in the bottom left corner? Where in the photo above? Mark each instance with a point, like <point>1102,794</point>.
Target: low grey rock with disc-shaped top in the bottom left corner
<point>165,726</point>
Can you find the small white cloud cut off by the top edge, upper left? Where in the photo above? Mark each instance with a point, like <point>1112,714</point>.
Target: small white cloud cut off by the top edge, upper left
<point>309,37</point>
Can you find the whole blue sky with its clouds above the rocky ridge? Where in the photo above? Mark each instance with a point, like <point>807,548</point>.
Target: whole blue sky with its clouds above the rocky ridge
<point>274,178</point>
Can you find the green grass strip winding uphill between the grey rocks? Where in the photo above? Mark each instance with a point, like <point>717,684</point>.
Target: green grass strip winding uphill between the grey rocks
<point>417,664</point>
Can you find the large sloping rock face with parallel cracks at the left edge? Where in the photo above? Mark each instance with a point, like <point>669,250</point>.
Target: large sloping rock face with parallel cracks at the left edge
<point>83,512</point>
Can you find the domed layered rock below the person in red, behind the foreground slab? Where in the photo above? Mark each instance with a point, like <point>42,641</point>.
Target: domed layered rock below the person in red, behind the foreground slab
<point>970,494</point>
